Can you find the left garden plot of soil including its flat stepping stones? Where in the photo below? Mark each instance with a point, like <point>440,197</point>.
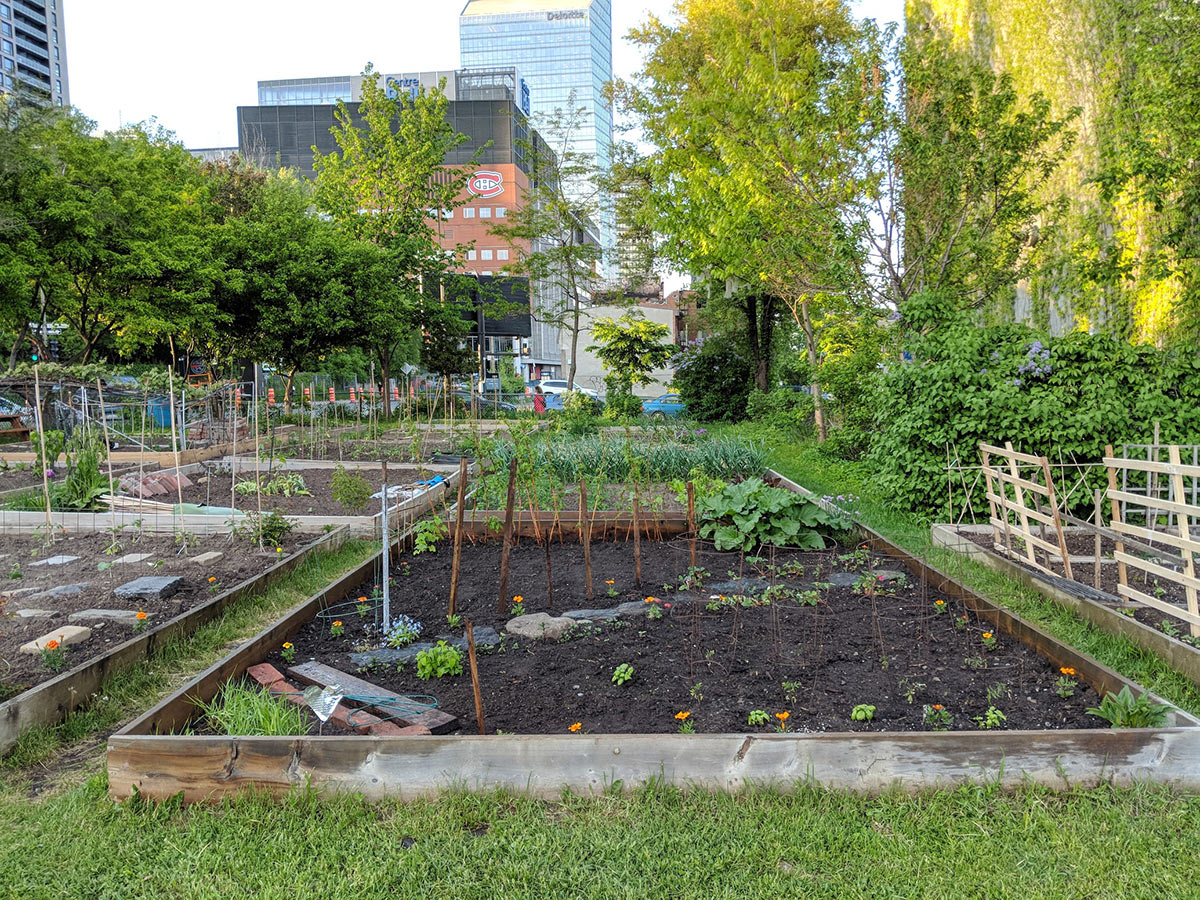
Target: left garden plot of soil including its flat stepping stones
<point>75,592</point>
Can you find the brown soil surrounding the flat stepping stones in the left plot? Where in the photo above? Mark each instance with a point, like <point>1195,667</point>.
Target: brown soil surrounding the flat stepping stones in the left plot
<point>19,671</point>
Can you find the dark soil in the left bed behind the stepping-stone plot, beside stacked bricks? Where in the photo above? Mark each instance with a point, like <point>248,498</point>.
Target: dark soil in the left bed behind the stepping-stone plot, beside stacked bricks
<point>214,490</point>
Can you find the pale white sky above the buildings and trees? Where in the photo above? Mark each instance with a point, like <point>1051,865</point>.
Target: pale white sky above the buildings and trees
<point>191,64</point>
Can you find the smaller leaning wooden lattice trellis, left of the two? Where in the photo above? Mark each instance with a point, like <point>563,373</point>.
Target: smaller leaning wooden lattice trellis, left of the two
<point>1021,490</point>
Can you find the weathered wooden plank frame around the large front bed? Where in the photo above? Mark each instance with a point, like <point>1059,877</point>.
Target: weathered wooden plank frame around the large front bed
<point>147,759</point>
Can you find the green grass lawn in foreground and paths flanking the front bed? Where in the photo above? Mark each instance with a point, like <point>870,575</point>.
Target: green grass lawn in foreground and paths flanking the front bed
<point>971,843</point>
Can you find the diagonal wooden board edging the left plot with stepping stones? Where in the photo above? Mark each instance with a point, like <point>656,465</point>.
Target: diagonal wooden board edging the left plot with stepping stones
<point>50,703</point>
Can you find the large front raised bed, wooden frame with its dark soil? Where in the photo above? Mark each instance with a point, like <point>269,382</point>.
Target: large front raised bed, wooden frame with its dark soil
<point>537,687</point>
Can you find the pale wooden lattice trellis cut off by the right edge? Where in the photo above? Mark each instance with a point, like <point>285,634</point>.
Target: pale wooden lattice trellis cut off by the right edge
<point>1178,567</point>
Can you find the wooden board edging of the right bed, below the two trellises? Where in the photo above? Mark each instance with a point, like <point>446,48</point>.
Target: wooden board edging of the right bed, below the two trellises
<point>1177,655</point>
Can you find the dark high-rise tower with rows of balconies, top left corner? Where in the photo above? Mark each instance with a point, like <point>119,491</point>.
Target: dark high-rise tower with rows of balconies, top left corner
<point>34,50</point>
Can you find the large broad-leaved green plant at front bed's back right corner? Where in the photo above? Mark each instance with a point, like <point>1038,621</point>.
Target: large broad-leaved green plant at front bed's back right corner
<point>749,514</point>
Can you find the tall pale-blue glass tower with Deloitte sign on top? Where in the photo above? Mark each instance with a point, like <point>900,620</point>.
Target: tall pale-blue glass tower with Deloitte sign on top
<point>563,49</point>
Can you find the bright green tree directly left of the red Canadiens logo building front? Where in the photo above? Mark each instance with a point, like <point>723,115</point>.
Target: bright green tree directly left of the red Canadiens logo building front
<point>388,183</point>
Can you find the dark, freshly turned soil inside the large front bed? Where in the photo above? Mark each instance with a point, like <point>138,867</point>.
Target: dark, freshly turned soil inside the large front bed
<point>717,664</point>
